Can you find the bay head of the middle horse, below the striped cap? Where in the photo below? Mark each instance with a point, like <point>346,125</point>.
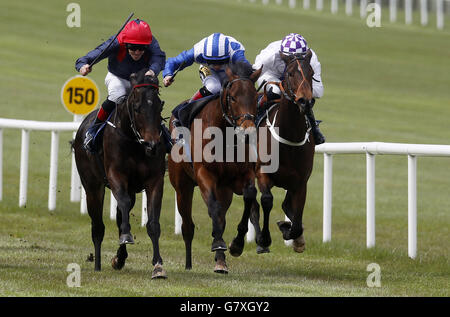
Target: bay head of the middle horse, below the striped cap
<point>238,96</point>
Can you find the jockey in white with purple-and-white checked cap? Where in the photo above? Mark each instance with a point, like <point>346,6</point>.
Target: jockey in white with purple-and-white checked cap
<point>274,68</point>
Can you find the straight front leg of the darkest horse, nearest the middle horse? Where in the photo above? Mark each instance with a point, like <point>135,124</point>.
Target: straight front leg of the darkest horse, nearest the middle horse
<point>154,193</point>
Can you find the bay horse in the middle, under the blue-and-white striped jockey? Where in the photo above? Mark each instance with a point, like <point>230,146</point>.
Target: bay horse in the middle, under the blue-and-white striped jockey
<point>217,180</point>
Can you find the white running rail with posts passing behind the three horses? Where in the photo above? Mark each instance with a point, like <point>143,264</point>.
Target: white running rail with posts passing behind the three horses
<point>370,149</point>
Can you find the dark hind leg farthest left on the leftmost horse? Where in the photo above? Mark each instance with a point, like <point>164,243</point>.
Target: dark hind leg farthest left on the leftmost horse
<point>94,201</point>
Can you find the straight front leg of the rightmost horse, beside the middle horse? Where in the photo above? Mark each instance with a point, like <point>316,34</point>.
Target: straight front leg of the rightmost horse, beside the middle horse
<point>265,184</point>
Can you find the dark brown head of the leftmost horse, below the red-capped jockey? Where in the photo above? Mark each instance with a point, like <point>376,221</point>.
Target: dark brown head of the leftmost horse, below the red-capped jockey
<point>144,110</point>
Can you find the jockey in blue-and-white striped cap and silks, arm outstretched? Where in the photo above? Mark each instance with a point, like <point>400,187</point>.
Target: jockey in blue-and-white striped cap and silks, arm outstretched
<point>213,53</point>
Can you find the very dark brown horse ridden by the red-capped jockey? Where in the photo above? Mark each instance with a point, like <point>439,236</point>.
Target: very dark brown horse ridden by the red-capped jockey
<point>130,159</point>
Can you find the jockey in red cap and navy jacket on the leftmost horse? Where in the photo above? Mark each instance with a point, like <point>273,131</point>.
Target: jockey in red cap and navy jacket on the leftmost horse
<point>134,48</point>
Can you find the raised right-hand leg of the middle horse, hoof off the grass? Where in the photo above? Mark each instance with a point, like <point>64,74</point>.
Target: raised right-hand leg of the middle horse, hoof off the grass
<point>250,206</point>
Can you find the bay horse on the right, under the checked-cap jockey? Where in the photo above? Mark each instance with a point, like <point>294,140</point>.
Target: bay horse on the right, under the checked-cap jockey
<point>288,125</point>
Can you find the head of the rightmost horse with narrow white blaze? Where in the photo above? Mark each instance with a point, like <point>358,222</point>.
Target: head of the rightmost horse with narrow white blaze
<point>297,83</point>
